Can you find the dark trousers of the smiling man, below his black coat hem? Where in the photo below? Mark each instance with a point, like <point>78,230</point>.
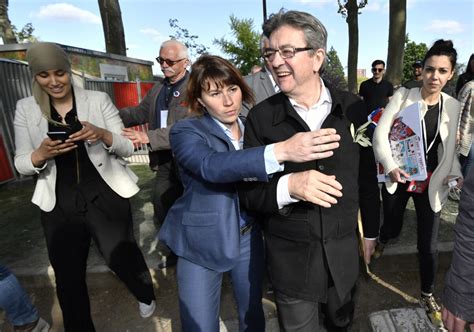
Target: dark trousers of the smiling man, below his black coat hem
<point>296,315</point>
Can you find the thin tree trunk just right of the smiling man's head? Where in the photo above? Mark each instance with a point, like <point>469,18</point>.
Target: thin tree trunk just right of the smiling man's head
<point>353,28</point>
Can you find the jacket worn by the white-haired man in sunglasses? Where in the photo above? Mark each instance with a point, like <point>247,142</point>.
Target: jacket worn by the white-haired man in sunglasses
<point>145,112</point>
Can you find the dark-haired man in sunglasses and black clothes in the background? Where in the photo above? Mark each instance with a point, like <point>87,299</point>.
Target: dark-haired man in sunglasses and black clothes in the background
<point>376,91</point>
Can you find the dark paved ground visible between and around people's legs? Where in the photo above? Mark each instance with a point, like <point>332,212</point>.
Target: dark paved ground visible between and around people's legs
<point>114,309</point>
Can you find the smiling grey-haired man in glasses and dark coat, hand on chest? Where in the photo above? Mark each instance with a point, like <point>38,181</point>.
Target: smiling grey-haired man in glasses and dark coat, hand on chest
<point>310,209</point>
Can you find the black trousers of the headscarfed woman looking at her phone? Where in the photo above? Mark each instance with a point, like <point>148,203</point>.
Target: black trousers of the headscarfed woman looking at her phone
<point>79,216</point>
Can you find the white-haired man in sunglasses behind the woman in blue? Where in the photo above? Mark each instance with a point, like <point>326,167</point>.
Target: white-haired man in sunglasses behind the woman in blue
<point>161,108</point>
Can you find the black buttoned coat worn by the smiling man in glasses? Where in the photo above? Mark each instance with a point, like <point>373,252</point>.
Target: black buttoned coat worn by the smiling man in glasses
<point>306,244</point>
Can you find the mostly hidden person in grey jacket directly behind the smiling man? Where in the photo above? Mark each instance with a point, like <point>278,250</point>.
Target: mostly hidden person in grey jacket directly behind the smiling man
<point>262,82</point>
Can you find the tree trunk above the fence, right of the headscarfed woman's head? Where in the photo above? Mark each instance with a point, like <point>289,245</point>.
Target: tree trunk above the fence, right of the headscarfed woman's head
<point>113,26</point>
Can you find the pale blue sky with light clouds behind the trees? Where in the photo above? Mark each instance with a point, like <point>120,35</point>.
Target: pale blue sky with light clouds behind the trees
<point>146,23</point>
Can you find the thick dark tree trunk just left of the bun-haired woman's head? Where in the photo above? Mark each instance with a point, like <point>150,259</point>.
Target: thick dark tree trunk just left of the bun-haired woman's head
<point>396,41</point>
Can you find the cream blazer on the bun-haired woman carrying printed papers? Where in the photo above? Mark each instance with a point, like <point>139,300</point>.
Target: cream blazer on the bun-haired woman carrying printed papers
<point>448,163</point>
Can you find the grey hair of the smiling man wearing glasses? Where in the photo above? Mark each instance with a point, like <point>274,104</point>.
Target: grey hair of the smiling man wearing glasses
<point>315,33</point>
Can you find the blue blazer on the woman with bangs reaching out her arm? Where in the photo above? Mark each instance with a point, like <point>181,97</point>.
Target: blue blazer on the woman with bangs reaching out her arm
<point>203,224</point>
